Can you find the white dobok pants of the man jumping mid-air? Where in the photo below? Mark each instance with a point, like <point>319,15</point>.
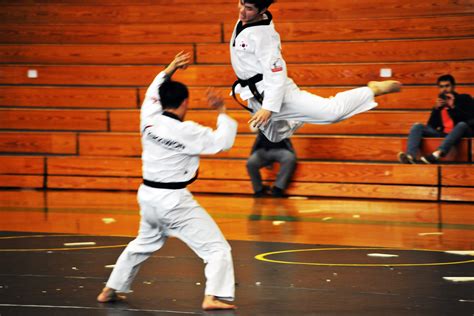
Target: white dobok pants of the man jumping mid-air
<point>301,107</point>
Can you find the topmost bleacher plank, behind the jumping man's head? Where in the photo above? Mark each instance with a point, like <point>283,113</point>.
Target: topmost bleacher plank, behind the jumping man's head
<point>192,12</point>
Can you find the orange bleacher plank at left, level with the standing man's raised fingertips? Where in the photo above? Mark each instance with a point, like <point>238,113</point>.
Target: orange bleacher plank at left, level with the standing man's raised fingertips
<point>91,54</point>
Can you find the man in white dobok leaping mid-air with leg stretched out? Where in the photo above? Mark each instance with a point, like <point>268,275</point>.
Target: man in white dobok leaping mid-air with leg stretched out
<point>279,107</point>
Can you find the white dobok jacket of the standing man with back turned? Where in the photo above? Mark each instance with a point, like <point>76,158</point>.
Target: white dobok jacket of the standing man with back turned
<point>171,148</point>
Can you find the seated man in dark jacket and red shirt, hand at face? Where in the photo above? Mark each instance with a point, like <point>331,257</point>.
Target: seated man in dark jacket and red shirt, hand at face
<point>452,118</point>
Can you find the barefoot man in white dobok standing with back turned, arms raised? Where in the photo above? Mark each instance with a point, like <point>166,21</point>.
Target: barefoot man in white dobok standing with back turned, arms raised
<point>170,157</point>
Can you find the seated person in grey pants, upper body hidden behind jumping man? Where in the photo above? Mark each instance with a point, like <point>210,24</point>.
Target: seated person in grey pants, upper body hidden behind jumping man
<point>265,153</point>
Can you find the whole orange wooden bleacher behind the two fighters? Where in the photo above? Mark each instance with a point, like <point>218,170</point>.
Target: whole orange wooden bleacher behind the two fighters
<point>75,127</point>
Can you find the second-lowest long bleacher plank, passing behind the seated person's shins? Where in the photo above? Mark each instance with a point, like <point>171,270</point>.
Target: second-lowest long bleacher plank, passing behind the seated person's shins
<point>224,169</point>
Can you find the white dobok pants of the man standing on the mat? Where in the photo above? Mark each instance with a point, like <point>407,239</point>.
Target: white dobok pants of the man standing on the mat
<point>176,213</point>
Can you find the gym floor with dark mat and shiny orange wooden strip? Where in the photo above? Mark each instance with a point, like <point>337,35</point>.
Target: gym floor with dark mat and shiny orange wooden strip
<point>291,256</point>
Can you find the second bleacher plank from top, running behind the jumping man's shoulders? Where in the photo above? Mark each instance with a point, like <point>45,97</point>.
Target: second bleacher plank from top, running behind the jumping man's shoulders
<point>367,29</point>
